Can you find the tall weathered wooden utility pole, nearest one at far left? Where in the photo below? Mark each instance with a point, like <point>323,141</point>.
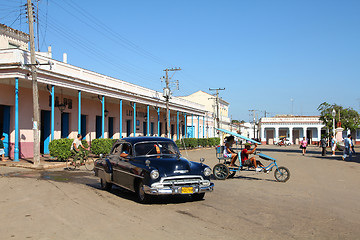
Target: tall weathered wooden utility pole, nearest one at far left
<point>36,117</point>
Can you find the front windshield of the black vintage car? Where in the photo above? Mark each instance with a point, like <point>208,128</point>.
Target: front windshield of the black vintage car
<point>156,148</point>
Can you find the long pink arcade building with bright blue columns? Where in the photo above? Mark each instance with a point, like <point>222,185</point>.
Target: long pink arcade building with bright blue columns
<point>73,100</point>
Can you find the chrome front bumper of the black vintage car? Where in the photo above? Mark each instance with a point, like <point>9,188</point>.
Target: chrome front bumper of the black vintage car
<point>175,190</point>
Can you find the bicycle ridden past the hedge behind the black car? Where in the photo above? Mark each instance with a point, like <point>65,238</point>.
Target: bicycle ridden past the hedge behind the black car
<point>83,157</point>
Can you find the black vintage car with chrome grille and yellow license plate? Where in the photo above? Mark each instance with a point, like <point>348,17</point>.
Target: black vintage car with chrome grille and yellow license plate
<point>152,166</point>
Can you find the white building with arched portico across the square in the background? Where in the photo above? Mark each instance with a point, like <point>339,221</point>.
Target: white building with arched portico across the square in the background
<point>292,127</point>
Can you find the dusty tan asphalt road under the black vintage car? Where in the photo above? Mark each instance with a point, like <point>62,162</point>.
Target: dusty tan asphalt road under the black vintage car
<point>320,201</point>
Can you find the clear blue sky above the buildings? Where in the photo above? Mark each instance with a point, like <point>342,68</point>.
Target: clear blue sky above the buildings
<point>264,53</point>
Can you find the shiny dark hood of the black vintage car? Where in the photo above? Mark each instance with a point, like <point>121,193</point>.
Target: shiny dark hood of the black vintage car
<point>174,166</point>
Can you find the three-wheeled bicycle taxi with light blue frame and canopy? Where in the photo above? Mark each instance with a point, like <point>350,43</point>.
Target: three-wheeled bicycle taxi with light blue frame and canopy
<point>222,170</point>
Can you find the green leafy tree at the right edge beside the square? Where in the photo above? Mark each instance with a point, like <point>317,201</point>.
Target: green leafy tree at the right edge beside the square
<point>349,118</point>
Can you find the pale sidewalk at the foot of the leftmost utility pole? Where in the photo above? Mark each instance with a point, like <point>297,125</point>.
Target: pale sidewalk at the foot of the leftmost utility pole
<point>46,162</point>
